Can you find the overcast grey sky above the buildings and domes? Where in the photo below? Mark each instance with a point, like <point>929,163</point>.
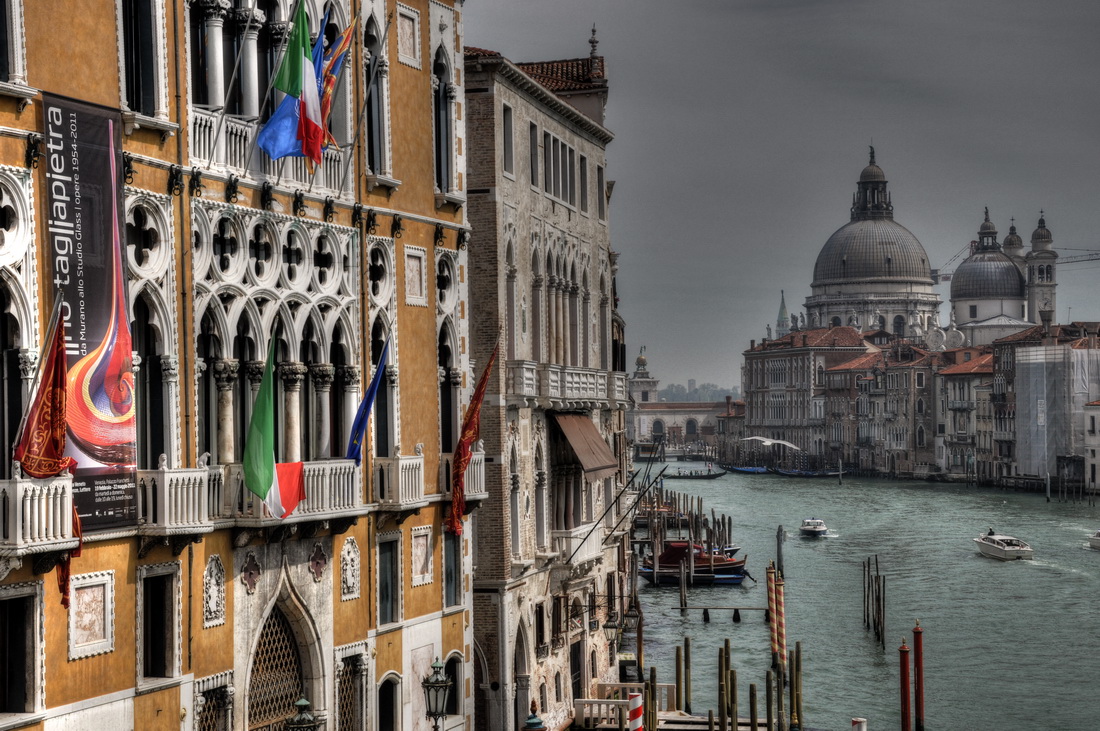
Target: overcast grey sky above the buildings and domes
<point>742,128</point>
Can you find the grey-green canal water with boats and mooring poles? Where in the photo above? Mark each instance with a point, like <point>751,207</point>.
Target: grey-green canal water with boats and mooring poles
<point>1007,646</point>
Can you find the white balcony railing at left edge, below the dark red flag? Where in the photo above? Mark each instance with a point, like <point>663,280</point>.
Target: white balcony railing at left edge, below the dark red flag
<point>37,516</point>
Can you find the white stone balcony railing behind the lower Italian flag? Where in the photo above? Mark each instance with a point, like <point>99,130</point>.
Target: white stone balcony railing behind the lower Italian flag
<point>333,491</point>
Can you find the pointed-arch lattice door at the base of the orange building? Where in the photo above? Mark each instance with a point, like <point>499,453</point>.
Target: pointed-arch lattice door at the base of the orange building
<point>277,681</point>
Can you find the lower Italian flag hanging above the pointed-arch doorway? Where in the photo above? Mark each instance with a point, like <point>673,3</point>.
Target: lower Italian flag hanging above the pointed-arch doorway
<point>280,485</point>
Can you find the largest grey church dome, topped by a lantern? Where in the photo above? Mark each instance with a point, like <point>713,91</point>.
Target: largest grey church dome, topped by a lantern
<point>873,273</point>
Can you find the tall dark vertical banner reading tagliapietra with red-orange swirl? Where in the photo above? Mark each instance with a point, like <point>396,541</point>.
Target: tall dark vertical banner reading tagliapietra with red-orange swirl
<point>84,219</point>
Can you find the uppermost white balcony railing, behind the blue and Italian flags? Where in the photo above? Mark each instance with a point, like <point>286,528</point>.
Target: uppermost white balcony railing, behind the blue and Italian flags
<point>230,149</point>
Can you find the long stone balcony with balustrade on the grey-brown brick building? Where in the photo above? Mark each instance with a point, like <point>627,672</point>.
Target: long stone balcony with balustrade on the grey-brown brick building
<point>552,386</point>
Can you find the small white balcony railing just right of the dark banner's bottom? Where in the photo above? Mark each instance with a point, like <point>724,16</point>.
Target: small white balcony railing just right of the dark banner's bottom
<point>174,502</point>
